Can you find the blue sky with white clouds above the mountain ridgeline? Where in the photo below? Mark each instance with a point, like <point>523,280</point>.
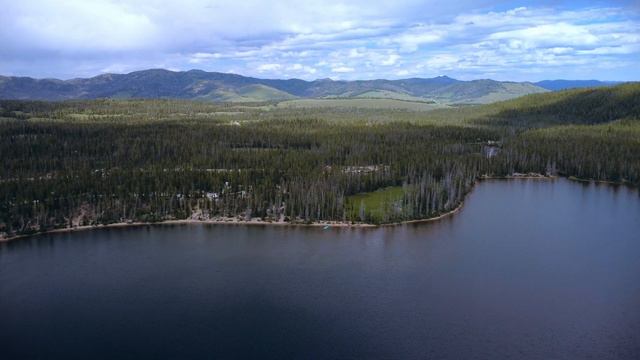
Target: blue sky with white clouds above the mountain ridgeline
<point>309,39</point>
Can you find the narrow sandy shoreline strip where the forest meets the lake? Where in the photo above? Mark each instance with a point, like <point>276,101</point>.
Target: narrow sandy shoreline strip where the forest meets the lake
<point>331,224</point>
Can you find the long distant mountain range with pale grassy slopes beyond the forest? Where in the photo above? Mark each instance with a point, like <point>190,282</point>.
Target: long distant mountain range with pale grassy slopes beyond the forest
<point>214,86</point>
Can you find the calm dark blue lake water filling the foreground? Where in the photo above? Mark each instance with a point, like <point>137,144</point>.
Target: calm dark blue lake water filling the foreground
<point>528,269</point>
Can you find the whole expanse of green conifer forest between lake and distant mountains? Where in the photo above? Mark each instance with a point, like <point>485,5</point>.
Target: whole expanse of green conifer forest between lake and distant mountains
<point>104,161</point>
